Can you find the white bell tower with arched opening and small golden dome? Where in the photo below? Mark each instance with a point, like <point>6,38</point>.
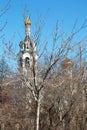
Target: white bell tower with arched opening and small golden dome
<point>27,54</point>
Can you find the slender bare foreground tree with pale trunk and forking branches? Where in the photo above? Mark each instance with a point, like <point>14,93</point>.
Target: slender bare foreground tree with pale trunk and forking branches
<point>39,78</point>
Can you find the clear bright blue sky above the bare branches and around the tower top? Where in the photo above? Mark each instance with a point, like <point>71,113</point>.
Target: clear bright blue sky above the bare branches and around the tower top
<point>62,10</point>
